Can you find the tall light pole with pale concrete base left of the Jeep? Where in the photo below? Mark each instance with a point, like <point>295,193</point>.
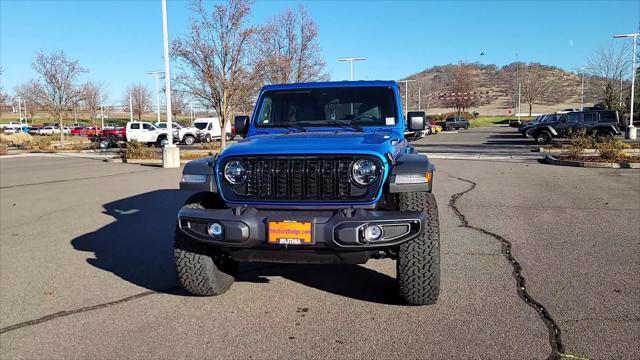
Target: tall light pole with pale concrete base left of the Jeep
<point>170,153</point>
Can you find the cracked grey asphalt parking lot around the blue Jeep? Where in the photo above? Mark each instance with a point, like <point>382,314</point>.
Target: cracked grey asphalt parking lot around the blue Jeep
<point>86,269</point>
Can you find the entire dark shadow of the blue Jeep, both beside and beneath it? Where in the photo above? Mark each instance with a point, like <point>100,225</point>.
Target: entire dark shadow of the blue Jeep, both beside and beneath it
<point>138,247</point>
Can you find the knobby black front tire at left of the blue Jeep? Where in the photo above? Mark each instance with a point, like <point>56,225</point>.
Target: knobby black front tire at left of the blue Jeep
<point>200,270</point>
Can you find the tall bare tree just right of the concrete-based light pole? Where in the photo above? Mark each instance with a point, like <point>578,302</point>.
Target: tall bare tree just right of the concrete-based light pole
<point>213,59</point>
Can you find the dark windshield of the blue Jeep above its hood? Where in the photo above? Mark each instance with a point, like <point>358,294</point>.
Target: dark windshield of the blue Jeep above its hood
<point>356,106</point>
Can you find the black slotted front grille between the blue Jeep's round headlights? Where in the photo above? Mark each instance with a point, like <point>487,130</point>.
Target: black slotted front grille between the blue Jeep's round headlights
<point>322,178</point>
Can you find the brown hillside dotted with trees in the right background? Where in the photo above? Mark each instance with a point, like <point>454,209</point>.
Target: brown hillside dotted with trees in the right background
<point>496,89</point>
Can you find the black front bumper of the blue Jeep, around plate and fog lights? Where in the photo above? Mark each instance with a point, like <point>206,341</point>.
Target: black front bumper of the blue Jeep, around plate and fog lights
<point>337,234</point>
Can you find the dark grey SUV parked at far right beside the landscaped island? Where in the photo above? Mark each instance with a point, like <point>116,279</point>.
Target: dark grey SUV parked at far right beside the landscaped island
<point>602,124</point>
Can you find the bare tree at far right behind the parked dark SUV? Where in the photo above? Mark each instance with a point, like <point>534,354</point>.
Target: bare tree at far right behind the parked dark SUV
<point>606,67</point>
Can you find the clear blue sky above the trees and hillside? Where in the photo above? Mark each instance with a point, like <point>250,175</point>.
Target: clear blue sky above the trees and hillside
<point>119,40</point>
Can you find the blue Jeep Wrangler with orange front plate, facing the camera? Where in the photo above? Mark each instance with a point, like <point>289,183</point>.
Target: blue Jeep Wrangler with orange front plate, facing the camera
<point>323,175</point>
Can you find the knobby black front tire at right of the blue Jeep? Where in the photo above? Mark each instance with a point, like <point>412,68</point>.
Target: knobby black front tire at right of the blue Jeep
<point>418,263</point>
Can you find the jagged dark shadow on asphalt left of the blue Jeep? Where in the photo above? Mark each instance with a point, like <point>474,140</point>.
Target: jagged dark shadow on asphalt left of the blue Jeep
<point>138,245</point>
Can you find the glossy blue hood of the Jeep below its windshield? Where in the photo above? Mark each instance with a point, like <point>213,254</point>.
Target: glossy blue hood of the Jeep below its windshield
<point>314,142</point>
